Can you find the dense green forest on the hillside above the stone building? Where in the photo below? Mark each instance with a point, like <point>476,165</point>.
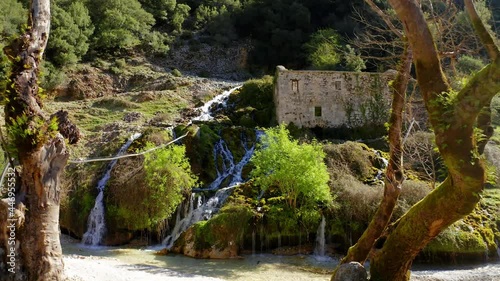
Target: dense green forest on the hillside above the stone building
<point>297,34</point>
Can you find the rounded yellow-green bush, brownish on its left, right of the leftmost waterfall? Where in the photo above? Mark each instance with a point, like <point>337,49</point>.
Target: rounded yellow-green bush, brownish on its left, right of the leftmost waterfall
<point>144,195</point>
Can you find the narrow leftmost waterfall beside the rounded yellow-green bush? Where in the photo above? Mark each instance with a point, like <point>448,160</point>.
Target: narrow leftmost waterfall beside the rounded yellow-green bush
<point>96,224</point>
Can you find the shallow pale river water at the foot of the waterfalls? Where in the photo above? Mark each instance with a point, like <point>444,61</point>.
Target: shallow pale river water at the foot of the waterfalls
<point>267,267</point>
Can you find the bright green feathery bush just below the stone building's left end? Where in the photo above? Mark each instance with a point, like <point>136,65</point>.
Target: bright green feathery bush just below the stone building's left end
<point>297,170</point>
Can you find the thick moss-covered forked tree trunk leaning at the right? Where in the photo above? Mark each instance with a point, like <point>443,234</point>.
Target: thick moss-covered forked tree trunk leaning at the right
<point>453,118</point>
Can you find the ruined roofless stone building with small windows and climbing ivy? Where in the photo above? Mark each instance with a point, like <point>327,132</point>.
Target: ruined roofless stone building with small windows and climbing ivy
<point>330,99</point>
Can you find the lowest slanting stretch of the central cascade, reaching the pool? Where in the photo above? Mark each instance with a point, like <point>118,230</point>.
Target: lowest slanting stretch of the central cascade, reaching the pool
<point>204,212</point>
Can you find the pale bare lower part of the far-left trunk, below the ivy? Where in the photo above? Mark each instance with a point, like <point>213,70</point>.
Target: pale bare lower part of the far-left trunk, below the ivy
<point>40,246</point>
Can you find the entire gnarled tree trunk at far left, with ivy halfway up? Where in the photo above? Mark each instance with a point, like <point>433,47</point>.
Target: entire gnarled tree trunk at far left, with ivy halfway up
<point>38,143</point>
